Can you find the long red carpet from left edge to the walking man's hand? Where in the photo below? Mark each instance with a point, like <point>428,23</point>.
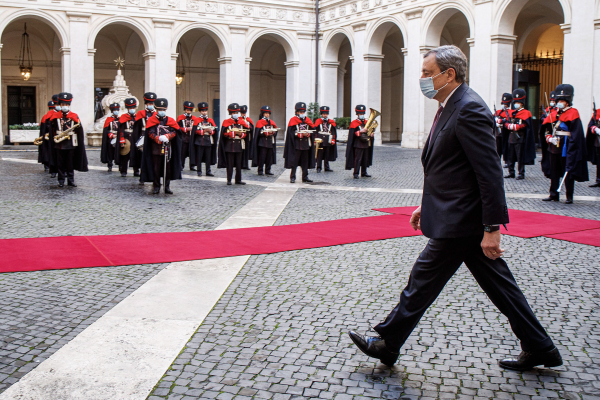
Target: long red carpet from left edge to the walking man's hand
<point>99,251</point>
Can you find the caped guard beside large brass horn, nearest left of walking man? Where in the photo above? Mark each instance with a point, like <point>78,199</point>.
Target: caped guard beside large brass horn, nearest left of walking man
<point>359,149</point>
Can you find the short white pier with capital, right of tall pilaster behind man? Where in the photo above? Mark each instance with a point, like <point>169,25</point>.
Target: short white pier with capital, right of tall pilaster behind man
<point>501,66</point>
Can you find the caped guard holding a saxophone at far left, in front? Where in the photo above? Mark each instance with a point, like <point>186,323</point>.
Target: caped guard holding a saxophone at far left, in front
<point>67,139</point>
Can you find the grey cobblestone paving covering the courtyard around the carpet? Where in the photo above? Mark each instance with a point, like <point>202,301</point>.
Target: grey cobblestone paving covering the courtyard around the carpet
<point>279,331</point>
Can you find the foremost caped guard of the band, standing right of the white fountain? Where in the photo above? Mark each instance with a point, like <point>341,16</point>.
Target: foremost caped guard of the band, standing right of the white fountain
<point>161,157</point>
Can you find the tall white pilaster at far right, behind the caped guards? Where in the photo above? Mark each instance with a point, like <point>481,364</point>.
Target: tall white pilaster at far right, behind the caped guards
<point>578,68</point>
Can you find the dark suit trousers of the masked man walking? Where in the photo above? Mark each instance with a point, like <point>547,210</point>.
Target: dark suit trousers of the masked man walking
<point>434,268</point>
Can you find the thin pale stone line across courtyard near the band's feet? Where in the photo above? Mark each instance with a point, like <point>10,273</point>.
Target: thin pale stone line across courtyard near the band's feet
<point>283,183</point>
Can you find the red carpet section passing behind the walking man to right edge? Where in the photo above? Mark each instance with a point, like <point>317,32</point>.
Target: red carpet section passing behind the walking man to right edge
<point>527,224</point>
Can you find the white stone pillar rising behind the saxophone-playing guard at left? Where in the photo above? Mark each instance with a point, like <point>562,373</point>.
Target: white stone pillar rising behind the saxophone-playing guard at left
<point>78,76</point>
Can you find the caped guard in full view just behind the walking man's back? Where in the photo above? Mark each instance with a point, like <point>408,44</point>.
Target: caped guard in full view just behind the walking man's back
<point>521,142</point>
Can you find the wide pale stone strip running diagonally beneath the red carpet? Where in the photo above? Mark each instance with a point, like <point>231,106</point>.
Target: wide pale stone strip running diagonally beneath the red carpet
<point>125,352</point>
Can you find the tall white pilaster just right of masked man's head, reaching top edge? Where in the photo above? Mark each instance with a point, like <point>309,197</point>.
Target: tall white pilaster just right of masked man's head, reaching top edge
<point>480,58</point>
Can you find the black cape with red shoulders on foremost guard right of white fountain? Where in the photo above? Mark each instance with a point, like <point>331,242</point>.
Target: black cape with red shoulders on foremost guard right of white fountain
<point>147,174</point>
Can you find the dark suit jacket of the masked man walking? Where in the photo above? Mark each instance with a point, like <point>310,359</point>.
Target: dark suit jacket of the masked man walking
<point>463,187</point>
